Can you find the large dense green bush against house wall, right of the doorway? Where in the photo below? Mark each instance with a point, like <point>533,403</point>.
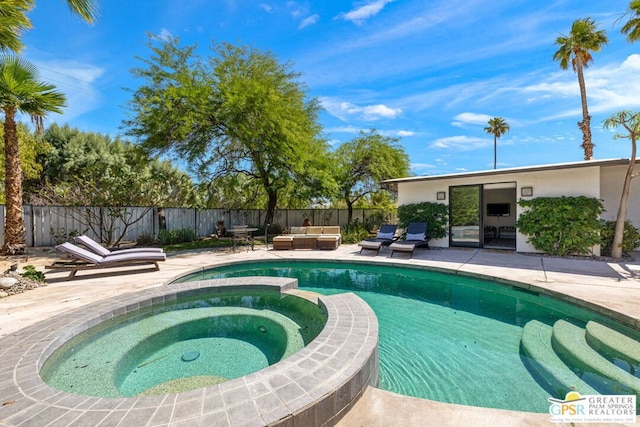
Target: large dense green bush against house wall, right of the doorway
<point>561,225</point>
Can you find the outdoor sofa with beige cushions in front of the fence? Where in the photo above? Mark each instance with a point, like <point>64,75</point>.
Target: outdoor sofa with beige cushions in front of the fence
<point>313,237</point>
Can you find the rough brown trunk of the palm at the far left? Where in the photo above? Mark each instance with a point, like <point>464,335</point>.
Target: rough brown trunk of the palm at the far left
<point>14,231</point>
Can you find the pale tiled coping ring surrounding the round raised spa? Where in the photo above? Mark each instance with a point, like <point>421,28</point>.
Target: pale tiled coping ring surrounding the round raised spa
<point>314,387</point>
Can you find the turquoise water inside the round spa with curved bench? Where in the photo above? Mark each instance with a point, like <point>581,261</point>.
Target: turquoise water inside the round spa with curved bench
<point>193,342</point>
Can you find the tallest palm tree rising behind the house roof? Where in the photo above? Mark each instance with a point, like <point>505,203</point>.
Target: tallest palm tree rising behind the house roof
<point>576,48</point>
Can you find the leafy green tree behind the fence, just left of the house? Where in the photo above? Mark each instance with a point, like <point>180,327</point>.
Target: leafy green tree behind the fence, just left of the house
<point>365,161</point>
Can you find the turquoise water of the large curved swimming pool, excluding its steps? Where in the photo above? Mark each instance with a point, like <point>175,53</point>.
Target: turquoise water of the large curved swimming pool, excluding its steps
<point>443,337</point>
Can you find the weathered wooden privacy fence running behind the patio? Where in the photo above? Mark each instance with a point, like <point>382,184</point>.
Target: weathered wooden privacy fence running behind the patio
<point>44,223</point>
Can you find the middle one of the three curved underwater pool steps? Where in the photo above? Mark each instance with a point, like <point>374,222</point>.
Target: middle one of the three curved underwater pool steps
<point>569,342</point>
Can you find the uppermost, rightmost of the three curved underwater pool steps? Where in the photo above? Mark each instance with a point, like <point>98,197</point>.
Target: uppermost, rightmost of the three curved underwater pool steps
<point>610,342</point>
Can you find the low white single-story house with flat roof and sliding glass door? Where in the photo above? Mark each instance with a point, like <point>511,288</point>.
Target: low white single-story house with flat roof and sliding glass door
<point>483,205</point>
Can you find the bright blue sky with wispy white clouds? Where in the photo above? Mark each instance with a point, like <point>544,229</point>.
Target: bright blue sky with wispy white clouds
<point>428,72</point>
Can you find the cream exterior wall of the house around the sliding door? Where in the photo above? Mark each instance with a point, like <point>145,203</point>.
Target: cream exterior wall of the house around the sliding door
<point>545,183</point>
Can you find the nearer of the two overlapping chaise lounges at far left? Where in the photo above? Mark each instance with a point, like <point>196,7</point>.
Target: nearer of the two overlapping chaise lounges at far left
<point>82,259</point>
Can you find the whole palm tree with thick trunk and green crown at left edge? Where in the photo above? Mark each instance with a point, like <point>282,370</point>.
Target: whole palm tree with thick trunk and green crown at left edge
<point>20,92</point>
